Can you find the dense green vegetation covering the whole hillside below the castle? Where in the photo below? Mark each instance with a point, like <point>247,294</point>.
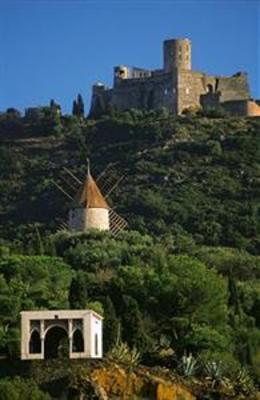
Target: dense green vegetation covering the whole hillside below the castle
<point>184,278</point>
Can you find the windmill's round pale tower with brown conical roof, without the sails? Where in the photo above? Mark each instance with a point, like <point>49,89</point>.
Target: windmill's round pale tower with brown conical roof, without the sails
<point>91,210</point>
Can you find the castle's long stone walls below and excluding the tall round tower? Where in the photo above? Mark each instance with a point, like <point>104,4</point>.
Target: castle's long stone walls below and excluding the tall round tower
<point>176,91</point>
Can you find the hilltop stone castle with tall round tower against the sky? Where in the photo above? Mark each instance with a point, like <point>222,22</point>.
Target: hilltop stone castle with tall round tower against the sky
<point>175,87</point>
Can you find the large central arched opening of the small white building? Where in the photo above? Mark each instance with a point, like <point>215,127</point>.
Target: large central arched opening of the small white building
<point>56,344</point>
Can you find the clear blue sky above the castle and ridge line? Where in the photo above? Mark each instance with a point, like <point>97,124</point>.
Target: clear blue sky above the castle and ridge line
<point>56,49</point>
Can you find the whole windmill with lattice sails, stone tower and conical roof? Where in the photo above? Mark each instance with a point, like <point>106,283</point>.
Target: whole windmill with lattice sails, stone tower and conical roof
<point>90,208</point>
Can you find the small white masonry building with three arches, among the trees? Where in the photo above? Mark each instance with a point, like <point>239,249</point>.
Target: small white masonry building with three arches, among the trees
<point>50,334</point>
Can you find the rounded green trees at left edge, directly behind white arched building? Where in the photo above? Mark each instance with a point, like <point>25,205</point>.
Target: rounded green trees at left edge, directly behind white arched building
<point>28,283</point>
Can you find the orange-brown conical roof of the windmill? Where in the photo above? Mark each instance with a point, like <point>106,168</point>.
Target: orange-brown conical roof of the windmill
<point>90,196</point>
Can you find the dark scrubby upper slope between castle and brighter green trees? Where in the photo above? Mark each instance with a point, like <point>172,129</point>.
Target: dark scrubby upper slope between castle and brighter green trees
<point>197,174</point>
